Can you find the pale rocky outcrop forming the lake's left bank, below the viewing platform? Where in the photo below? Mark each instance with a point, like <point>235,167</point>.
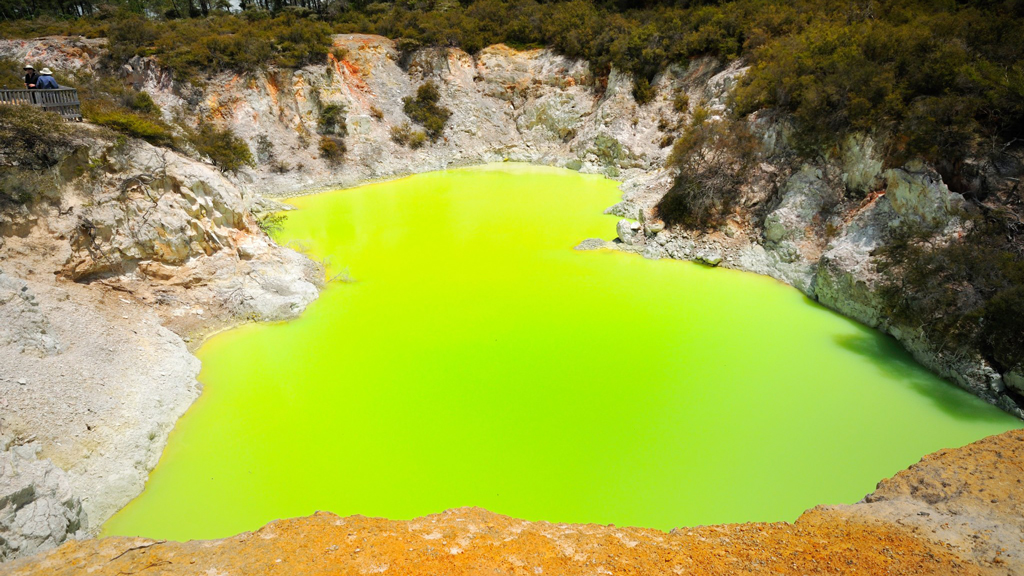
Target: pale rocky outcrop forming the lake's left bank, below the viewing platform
<point>142,239</point>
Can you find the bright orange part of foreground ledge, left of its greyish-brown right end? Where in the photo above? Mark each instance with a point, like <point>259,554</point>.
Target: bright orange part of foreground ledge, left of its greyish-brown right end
<point>476,542</point>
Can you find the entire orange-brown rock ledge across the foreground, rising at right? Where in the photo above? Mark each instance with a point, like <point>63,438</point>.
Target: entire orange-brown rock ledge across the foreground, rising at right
<point>957,512</point>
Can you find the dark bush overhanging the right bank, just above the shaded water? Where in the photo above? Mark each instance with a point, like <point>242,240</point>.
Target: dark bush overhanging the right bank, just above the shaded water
<point>963,293</point>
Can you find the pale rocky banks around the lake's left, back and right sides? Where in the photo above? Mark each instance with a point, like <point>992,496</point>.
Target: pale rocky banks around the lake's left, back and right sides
<point>149,250</point>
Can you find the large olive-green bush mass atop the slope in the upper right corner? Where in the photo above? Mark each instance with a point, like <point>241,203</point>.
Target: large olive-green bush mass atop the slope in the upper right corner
<point>936,83</point>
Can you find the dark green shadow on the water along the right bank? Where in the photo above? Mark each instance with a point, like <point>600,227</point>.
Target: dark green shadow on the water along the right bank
<point>885,353</point>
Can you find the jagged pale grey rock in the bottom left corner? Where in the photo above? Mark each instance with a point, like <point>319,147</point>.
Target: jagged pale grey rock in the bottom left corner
<point>38,510</point>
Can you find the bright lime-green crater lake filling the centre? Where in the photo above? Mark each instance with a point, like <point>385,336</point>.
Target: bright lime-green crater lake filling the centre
<point>478,360</point>
